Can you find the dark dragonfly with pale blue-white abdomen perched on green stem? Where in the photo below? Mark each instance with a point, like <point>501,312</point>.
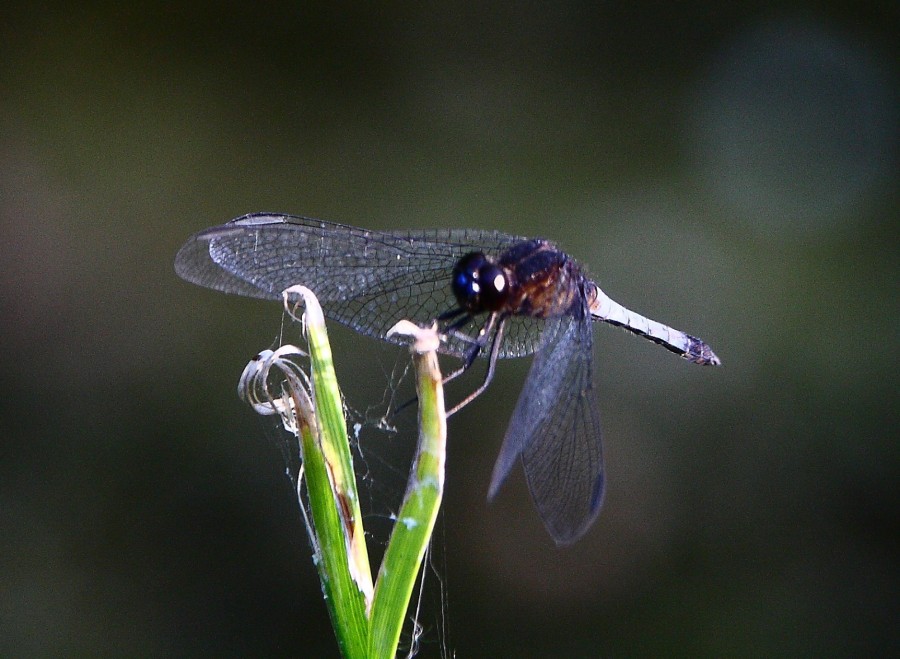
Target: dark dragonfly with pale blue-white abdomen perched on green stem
<point>494,295</point>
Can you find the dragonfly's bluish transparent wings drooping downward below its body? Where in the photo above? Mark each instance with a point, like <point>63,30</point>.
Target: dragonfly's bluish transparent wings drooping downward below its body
<point>555,428</point>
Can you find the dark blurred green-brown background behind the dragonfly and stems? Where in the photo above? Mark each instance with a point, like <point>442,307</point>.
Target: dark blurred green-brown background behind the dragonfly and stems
<point>726,169</point>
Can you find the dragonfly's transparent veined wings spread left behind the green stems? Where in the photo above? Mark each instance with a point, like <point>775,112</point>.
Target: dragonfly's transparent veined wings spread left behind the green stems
<point>367,280</point>
